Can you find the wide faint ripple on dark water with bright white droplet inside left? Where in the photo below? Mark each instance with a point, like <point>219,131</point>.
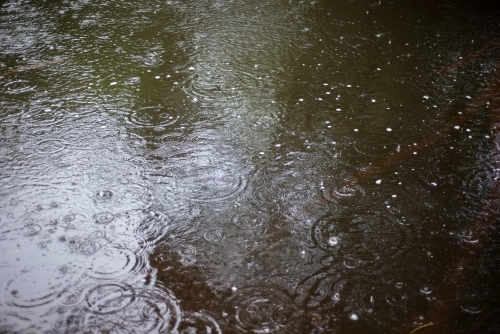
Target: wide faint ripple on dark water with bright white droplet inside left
<point>367,236</point>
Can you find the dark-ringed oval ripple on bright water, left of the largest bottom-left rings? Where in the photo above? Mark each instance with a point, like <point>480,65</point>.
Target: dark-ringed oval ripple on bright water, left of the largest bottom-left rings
<point>108,298</point>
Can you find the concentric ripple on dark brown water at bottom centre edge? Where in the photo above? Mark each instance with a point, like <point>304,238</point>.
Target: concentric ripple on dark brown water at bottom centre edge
<point>260,309</point>
